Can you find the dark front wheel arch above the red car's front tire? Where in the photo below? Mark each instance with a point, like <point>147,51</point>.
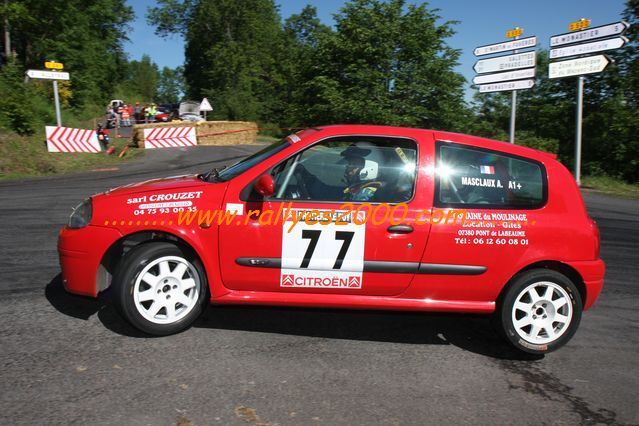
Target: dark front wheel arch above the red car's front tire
<point>116,252</point>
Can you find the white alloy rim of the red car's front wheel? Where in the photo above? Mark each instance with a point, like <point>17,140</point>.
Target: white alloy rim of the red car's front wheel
<point>166,290</point>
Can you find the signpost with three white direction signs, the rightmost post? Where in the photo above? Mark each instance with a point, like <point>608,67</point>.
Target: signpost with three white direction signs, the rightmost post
<point>583,40</point>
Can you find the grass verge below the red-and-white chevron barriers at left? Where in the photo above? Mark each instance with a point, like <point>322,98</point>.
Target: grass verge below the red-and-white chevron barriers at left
<point>22,157</point>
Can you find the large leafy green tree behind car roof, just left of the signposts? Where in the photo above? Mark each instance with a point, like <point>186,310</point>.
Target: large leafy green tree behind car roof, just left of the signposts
<point>387,63</point>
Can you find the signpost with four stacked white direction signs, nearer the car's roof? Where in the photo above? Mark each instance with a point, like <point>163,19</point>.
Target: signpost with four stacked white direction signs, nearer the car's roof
<point>516,69</point>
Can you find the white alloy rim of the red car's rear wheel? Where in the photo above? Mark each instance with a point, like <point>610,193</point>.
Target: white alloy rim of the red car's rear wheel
<point>542,312</point>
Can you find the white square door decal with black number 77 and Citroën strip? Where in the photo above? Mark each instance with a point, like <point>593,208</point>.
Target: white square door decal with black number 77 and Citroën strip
<point>326,254</point>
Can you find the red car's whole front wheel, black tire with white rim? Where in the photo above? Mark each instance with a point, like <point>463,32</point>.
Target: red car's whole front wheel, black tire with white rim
<point>128,285</point>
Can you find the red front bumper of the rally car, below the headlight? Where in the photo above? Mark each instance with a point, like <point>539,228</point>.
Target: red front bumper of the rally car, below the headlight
<point>81,252</point>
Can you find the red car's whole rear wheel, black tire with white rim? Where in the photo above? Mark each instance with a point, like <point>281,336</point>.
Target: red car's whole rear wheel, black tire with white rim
<point>552,334</point>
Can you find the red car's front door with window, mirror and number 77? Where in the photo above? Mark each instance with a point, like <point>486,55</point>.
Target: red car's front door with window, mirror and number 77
<point>322,231</point>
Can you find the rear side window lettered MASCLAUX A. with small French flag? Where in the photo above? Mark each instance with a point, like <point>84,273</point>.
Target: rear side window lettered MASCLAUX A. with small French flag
<point>478,178</point>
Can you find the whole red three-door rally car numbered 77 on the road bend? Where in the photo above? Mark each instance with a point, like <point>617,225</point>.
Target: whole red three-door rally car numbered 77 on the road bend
<point>349,216</point>
